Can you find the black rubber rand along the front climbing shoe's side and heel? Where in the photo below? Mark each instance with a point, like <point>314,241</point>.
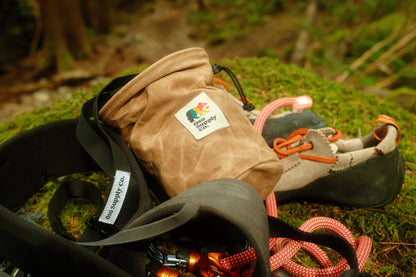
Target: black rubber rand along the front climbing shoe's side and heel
<point>373,183</point>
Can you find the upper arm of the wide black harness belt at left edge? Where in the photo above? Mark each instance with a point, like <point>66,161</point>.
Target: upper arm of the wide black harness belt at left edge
<point>36,156</point>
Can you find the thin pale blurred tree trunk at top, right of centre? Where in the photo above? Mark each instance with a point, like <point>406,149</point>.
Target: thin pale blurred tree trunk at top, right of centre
<point>301,48</point>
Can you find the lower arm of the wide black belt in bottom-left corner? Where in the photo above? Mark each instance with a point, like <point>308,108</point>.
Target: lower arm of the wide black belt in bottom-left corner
<point>42,253</point>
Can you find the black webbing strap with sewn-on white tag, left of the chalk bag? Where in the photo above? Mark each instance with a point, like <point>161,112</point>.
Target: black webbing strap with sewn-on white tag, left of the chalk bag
<point>117,160</point>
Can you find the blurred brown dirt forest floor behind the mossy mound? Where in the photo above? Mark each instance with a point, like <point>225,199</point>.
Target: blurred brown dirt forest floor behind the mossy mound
<point>135,38</point>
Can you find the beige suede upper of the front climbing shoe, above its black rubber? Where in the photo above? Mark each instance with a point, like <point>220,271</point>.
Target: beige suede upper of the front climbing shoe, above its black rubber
<point>324,155</point>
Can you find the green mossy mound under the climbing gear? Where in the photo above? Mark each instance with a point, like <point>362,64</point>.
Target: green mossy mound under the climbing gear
<point>392,227</point>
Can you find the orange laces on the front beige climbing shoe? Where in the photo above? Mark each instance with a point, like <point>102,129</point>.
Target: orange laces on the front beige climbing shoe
<point>280,143</point>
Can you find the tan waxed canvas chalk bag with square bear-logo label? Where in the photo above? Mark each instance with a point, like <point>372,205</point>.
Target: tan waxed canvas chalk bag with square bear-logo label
<point>186,131</point>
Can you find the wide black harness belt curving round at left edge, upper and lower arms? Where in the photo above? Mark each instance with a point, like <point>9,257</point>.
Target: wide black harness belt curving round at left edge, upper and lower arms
<point>27,162</point>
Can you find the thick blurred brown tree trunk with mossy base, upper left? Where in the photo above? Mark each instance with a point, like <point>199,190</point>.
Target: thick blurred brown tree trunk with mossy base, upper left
<point>65,36</point>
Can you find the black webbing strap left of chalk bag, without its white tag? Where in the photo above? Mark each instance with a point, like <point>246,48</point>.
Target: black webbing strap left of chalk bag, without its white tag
<point>112,155</point>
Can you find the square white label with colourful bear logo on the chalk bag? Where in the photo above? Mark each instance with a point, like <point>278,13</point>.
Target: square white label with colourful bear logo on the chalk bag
<point>201,117</point>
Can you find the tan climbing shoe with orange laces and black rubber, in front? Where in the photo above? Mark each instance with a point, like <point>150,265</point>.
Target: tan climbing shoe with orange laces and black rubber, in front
<point>320,166</point>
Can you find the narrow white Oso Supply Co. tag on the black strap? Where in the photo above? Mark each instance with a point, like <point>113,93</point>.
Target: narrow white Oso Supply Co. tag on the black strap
<point>116,198</point>
